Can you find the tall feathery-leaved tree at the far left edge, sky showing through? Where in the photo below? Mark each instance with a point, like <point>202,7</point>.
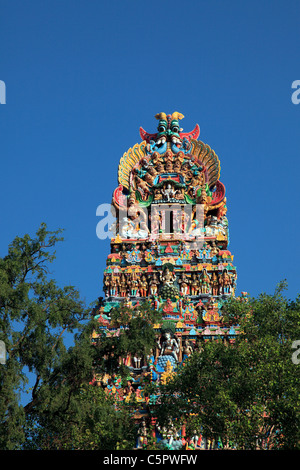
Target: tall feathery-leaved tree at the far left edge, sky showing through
<point>35,314</point>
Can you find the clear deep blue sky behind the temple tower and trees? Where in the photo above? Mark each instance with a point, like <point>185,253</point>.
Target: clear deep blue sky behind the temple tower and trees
<point>82,76</point>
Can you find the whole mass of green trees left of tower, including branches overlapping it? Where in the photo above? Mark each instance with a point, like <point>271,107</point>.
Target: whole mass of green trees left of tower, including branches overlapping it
<point>63,411</point>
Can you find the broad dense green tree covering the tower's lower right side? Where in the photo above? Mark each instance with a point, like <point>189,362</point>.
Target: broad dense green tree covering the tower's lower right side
<point>246,394</point>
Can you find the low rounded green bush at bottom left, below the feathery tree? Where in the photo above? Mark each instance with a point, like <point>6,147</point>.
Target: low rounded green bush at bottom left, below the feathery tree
<point>91,422</point>
